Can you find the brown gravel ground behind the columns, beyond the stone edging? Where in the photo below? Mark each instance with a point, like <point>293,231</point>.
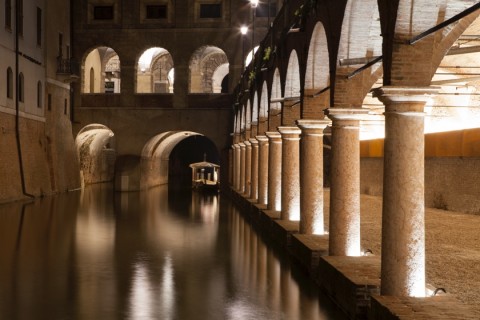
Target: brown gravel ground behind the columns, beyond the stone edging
<point>452,247</point>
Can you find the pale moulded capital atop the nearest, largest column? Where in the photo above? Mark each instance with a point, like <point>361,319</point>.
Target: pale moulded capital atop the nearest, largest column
<point>405,99</point>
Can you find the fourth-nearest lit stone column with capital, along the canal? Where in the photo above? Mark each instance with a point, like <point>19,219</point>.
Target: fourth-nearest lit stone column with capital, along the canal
<point>290,173</point>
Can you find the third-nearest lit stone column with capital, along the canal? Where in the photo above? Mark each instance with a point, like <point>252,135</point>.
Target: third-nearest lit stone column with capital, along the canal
<point>311,176</point>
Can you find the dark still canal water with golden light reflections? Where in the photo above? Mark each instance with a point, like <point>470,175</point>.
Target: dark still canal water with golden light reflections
<point>158,254</point>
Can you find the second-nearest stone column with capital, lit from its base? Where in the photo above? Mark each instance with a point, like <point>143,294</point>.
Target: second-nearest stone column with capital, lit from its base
<point>344,228</point>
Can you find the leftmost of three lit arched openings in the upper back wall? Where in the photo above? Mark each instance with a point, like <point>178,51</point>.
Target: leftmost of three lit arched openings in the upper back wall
<point>105,63</point>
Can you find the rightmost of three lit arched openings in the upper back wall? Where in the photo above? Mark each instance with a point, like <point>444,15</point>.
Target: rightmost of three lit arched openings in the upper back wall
<point>208,67</point>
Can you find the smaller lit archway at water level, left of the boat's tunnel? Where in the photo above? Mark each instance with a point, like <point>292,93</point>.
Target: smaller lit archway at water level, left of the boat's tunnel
<point>95,144</point>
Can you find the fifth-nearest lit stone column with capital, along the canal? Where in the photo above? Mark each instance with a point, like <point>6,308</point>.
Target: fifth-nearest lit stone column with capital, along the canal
<point>274,170</point>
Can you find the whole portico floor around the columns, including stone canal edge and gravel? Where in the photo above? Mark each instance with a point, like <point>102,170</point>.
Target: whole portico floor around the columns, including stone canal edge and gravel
<point>452,255</point>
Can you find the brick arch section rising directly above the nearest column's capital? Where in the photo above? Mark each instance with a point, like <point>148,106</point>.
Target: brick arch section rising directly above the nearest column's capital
<point>411,19</point>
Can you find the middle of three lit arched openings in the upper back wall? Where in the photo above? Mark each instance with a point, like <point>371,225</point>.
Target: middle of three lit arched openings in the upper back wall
<point>155,71</point>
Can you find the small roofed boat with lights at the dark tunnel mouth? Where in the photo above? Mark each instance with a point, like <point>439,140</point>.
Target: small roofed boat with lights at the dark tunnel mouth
<point>205,175</point>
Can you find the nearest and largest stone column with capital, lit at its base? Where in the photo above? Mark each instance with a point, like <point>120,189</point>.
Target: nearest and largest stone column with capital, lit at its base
<point>403,224</point>
